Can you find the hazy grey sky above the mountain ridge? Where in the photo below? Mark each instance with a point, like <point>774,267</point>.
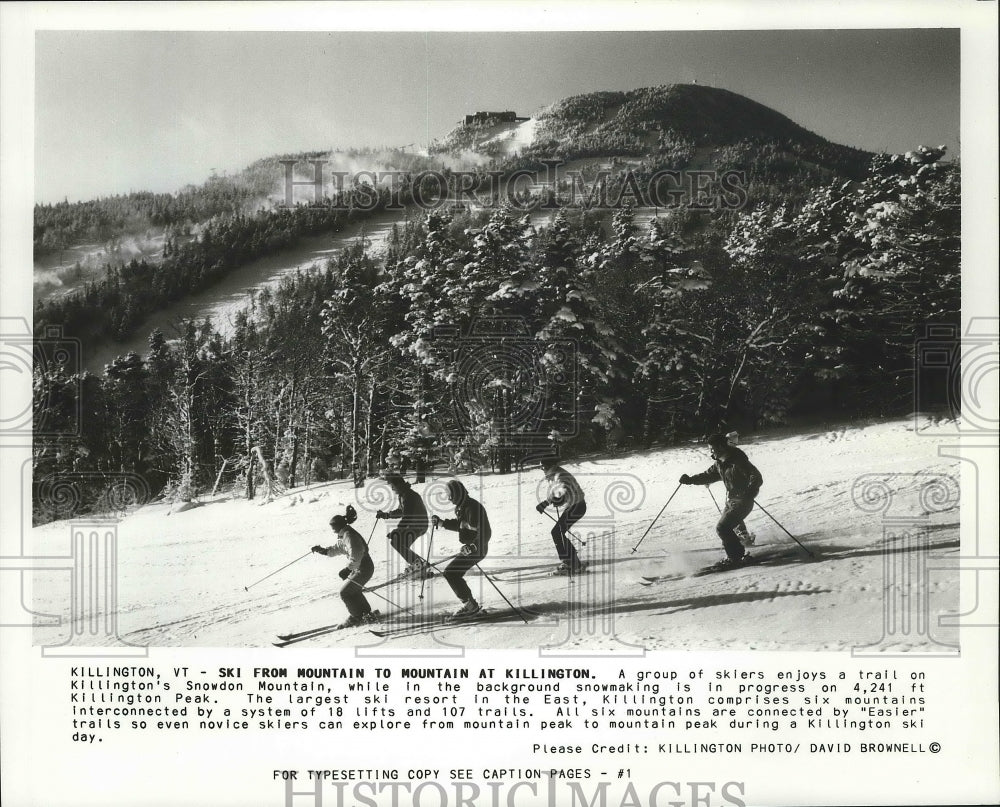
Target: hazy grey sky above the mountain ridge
<point>117,111</point>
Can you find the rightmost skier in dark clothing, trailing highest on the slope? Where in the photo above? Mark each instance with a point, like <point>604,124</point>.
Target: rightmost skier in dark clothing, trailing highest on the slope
<point>742,481</point>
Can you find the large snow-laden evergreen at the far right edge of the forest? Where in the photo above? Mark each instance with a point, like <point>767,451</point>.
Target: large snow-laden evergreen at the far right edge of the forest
<point>889,247</point>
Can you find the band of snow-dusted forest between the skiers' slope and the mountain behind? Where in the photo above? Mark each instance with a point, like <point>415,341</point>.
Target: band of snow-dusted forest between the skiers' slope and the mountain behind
<point>476,339</point>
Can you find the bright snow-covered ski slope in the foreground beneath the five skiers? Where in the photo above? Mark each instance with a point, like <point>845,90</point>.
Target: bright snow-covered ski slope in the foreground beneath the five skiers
<point>182,574</point>
